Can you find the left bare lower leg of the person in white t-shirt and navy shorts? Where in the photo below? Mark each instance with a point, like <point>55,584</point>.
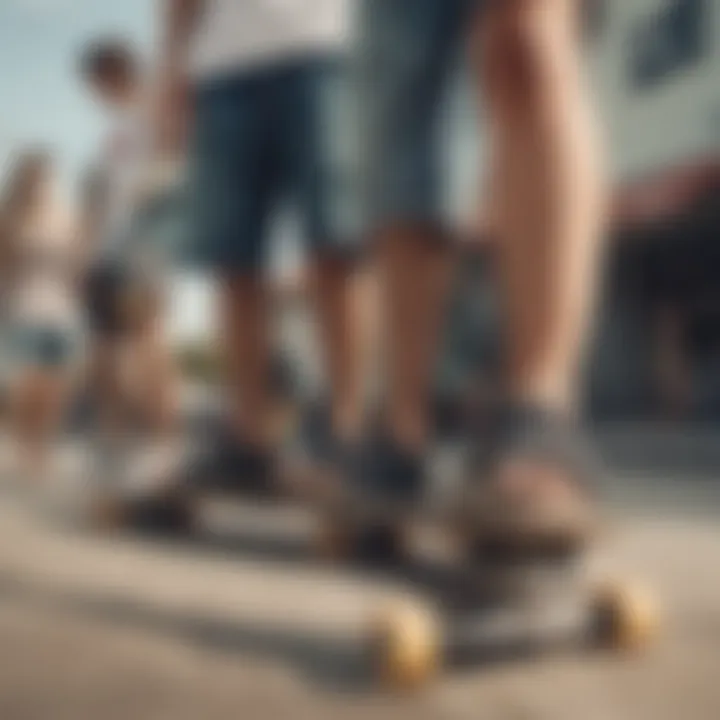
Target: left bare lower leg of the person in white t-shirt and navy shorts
<point>244,328</point>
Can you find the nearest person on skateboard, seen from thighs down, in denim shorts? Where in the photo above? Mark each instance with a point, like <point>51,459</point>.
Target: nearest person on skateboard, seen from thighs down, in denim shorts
<point>548,202</point>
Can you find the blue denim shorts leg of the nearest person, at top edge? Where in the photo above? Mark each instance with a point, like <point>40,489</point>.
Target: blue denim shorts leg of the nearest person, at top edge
<point>408,51</point>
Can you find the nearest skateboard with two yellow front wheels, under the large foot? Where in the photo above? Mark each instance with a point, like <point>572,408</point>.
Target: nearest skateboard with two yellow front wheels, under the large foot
<point>486,603</point>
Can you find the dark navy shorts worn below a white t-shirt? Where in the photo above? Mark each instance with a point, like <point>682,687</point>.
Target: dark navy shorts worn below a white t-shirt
<point>262,138</point>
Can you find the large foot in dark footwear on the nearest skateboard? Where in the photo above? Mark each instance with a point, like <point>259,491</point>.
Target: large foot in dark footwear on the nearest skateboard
<point>530,485</point>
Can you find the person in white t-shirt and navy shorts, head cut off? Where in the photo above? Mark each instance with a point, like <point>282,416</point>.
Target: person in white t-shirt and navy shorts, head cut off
<point>255,86</point>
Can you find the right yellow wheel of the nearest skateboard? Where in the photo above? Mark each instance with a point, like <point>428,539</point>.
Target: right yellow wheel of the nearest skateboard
<point>626,617</point>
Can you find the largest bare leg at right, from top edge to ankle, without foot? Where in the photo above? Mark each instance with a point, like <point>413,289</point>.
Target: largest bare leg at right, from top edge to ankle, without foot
<point>548,196</point>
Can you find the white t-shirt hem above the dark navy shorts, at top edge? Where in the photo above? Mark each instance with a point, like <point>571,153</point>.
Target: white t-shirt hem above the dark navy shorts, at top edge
<point>239,33</point>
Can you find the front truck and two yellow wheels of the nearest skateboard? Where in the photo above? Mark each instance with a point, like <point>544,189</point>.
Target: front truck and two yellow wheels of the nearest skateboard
<point>540,609</point>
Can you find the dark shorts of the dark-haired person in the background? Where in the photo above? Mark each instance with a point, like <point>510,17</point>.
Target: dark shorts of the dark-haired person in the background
<point>116,296</point>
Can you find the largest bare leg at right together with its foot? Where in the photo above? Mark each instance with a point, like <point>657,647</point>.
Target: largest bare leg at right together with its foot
<point>548,204</point>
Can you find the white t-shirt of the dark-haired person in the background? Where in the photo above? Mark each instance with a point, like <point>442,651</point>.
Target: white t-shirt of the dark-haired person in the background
<point>123,159</point>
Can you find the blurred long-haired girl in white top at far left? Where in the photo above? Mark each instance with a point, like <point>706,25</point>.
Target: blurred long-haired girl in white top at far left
<point>39,268</point>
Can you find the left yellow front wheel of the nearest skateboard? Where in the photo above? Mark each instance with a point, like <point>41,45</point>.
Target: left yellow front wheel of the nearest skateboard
<point>404,645</point>
